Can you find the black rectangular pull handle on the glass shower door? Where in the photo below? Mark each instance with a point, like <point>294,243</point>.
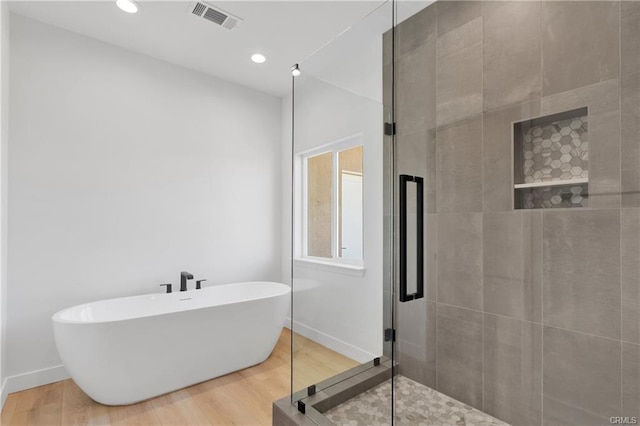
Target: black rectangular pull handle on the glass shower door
<point>419,182</point>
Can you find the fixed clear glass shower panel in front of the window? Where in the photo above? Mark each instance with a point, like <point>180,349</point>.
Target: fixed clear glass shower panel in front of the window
<point>338,320</point>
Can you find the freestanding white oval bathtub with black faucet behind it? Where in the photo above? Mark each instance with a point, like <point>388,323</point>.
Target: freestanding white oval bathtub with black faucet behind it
<point>122,351</point>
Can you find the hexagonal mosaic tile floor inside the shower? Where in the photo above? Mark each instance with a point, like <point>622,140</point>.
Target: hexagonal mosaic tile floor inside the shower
<point>416,404</point>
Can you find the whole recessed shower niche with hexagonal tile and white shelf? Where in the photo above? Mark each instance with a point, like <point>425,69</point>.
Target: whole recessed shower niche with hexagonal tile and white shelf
<point>551,161</point>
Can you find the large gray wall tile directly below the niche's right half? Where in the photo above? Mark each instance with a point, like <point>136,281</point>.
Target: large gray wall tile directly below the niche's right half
<point>581,271</point>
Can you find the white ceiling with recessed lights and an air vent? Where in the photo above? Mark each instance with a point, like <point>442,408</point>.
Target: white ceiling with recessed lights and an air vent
<point>285,32</point>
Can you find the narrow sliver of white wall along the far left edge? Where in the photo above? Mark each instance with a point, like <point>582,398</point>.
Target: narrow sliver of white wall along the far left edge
<point>4,135</point>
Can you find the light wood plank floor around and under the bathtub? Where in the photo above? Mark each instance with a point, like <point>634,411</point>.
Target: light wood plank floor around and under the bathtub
<point>241,398</point>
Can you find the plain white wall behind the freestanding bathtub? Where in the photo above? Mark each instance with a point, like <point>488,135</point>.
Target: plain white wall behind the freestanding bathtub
<point>123,171</point>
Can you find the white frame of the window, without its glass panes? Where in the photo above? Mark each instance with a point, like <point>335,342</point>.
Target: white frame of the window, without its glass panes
<point>334,148</point>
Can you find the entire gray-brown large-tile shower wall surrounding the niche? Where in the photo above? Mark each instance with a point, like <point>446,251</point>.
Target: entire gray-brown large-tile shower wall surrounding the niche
<point>532,316</point>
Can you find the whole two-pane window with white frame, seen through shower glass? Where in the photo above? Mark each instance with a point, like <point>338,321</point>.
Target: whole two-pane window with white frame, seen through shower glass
<point>332,194</point>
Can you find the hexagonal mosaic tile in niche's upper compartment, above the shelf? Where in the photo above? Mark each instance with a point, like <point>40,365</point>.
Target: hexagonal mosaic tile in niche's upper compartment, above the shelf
<point>556,145</point>
